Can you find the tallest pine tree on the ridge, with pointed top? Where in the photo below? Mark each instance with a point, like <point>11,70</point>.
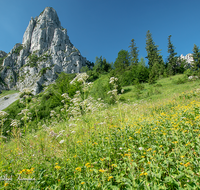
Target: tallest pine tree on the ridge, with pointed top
<point>155,60</point>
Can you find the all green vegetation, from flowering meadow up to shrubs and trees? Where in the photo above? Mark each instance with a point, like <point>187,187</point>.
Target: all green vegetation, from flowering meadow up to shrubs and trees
<point>121,125</point>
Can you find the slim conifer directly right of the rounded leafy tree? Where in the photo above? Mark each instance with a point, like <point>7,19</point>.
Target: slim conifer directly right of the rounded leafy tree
<point>133,53</point>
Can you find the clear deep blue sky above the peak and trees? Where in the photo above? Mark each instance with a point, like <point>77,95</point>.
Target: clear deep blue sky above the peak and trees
<point>104,27</point>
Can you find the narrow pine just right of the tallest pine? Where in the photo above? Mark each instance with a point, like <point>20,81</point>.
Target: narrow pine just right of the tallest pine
<point>172,66</point>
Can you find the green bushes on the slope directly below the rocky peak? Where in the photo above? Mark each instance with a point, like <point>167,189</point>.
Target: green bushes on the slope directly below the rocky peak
<point>45,101</point>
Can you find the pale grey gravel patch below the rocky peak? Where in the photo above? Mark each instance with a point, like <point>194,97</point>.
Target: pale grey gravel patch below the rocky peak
<point>5,102</point>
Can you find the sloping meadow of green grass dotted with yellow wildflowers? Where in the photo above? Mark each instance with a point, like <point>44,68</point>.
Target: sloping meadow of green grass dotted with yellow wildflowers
<point>148,140</point>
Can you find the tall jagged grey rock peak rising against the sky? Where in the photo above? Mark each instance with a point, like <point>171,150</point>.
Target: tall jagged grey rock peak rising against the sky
<point>45,51</point>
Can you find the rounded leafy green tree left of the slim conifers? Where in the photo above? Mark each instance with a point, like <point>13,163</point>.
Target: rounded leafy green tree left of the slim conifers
<point>122,62</point>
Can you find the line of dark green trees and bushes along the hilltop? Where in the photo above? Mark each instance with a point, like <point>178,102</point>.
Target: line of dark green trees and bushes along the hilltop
<point>130,70</point>
